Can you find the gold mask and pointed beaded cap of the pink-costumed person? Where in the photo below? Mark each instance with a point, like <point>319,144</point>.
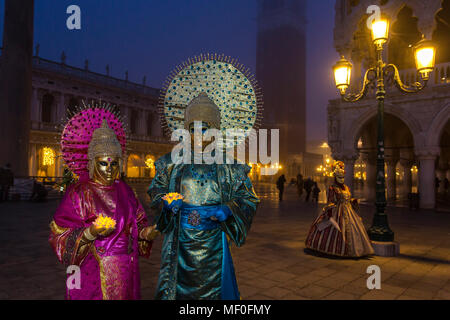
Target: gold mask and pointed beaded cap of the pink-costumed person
<point>105,156</point>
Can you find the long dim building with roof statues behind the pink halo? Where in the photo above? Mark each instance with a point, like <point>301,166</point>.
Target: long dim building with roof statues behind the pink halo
<point>59,89</point>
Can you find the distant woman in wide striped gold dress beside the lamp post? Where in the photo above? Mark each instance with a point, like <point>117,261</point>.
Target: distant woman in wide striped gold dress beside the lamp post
<point>339,230</point>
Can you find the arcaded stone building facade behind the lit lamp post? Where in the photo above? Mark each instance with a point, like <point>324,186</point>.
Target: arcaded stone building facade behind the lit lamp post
<point>417,126</point>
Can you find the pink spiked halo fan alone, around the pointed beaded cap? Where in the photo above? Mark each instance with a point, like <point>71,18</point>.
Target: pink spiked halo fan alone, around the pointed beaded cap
<point>78,131</point>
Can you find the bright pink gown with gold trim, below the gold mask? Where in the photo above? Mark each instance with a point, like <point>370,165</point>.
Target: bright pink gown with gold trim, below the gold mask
<point>109,265</point>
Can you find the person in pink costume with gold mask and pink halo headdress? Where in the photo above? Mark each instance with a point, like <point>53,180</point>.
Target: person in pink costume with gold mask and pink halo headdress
<point>93,143</point>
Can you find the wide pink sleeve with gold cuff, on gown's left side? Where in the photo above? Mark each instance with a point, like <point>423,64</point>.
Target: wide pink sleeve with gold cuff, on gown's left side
<point>66,231</point>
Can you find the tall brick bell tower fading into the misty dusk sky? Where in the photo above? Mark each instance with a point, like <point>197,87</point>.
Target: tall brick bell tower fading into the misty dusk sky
<point>280,70</point>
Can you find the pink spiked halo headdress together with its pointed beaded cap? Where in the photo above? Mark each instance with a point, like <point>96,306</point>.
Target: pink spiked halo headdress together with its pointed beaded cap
<point>79,131</point>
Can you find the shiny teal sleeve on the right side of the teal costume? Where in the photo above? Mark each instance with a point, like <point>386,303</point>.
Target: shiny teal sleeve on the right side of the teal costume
<point>243,204</point>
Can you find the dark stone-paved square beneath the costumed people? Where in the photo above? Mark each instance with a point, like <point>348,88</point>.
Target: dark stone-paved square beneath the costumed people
<point>271,265</point>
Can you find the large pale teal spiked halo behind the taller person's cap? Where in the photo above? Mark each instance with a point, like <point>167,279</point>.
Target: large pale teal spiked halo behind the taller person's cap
<point>226,82</point>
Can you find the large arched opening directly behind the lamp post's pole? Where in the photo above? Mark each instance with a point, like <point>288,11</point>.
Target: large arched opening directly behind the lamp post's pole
<point>399,159</point>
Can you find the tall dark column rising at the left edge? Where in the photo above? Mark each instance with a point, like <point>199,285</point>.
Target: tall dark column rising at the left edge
<point>15,85</point>
